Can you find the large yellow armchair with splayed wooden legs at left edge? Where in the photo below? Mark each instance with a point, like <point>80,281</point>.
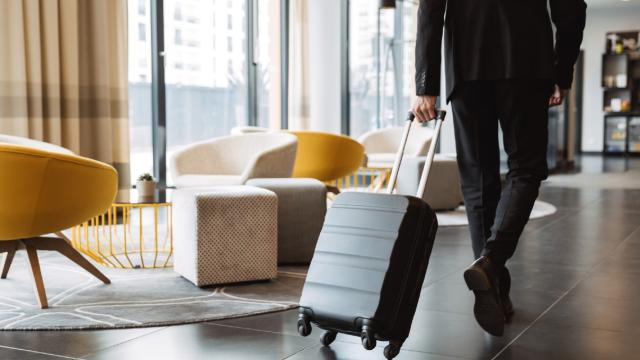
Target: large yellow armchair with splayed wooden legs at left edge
<point>44,192</point>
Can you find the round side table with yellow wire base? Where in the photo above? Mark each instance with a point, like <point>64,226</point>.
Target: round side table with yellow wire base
<point>135,233</point>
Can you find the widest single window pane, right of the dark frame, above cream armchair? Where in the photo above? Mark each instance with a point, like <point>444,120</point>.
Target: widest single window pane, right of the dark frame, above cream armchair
<point>205,69</point>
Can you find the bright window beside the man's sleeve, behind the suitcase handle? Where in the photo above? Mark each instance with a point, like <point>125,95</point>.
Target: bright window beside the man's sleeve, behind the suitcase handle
<point>381,65</point>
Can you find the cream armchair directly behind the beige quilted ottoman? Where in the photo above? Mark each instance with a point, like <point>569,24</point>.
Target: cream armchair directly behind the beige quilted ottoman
<point>232,160</point>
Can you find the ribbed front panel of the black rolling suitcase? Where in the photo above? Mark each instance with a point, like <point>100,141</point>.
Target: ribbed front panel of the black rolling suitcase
<point>352,255</point>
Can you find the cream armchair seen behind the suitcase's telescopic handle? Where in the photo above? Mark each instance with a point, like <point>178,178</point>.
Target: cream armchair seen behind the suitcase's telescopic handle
<point>382,145</point>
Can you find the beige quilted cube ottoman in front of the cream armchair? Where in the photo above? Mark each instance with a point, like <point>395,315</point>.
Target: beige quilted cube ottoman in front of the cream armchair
<point>225,234</point>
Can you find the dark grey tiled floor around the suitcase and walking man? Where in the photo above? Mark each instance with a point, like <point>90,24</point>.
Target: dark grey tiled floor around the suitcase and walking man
<point>575,285</point>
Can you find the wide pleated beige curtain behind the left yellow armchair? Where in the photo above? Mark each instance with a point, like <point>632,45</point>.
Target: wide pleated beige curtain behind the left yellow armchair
<point>63,76</point>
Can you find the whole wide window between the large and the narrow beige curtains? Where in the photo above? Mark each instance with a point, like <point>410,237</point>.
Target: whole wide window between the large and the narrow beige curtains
<point>215,72</point>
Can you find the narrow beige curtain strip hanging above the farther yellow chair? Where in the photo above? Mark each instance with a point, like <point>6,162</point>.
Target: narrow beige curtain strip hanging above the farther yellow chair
<point>299,66</point>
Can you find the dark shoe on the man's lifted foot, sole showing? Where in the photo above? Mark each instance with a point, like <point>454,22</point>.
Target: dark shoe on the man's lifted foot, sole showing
<point>487,308</point>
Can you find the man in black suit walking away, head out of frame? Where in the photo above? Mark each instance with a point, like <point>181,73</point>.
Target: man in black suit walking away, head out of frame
<point>501,68</point>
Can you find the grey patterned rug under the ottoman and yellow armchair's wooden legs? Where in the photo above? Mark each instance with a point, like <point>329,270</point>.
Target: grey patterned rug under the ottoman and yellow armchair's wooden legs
<point>136,298</point>
